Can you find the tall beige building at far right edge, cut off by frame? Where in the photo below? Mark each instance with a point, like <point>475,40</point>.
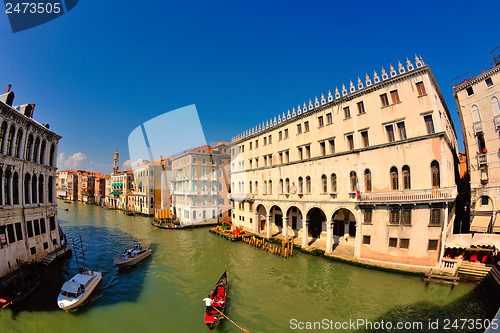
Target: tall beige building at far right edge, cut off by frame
<point>478,105</point>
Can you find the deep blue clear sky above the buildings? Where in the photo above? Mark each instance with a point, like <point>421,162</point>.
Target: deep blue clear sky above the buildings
<point>106,67</point>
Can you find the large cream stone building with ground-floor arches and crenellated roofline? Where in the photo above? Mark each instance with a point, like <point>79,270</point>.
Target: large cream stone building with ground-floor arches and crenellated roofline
<point>367,172</point>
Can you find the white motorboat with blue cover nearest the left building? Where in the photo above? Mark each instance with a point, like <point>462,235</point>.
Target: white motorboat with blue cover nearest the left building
<point>75,291</point>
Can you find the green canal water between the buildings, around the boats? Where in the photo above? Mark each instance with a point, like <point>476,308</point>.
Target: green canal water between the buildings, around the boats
<point>267,293</point>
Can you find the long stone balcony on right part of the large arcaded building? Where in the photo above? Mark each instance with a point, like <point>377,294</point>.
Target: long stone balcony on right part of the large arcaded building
<point>411,196</point>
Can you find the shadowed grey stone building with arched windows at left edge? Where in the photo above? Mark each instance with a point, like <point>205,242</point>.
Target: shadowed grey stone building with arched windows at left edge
<point>28,214</point>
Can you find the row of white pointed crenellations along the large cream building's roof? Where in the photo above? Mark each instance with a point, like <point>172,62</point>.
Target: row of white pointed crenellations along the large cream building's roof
<point>344,93</point>
